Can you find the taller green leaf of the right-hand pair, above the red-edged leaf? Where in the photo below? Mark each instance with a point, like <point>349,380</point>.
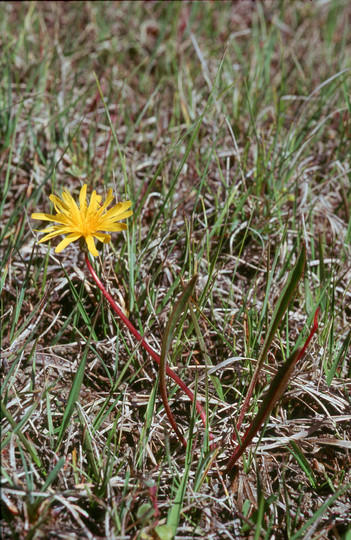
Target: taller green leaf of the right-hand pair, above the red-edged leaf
<point>280,309</point>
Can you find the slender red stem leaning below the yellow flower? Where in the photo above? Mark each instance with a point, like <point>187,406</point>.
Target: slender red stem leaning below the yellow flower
<point>149,349</point>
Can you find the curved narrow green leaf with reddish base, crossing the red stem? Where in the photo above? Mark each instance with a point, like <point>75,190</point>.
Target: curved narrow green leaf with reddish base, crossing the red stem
<point>166,345</point>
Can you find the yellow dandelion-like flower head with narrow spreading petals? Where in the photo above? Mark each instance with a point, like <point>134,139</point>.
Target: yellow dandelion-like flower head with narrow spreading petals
<point>85,221</point>
